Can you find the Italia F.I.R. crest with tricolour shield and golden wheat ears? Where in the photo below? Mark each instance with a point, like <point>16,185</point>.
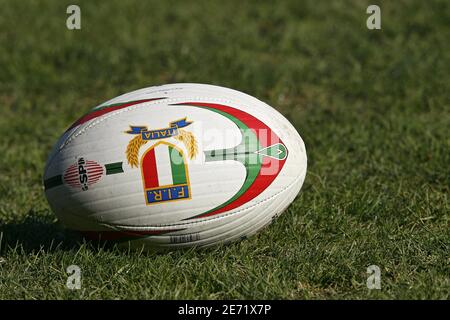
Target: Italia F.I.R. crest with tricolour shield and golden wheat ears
<point>164,168</point>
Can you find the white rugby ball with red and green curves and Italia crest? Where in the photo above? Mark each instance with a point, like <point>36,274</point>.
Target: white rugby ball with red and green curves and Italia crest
<point>175,166</point>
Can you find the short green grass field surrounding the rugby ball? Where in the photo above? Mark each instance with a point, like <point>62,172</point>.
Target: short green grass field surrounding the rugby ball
<point>372,106</point>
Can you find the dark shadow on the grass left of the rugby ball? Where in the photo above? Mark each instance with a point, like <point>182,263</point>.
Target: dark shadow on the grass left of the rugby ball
<point>34,234</point>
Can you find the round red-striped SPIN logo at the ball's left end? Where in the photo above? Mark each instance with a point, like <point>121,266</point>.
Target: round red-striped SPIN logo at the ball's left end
<point>83,174</point>
